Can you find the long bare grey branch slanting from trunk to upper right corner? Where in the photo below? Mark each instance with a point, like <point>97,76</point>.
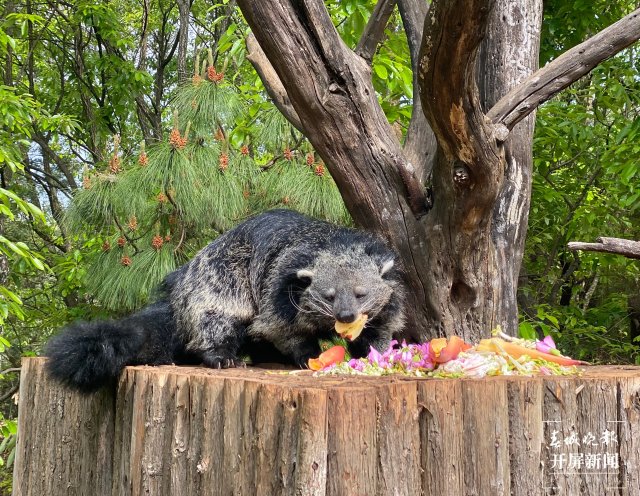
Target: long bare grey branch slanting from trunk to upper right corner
<point>569,67</point>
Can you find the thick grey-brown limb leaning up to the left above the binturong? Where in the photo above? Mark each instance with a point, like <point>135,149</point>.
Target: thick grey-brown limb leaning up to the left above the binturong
<point>330,89</point>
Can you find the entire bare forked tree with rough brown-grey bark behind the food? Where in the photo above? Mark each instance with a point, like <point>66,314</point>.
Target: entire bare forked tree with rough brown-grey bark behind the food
<point>462,256</point>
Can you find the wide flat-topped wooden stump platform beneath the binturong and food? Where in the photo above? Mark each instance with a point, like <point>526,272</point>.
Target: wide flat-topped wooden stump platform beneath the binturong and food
<point>195,431</point>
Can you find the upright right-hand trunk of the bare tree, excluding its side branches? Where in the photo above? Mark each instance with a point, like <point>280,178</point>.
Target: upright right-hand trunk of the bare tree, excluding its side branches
<point>481,182</point>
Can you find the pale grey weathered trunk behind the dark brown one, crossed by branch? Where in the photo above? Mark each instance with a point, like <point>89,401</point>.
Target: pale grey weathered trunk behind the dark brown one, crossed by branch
<point>510,57</point>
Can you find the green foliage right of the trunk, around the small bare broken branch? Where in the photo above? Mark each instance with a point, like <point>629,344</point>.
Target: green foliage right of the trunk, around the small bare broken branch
<point>585,185</point>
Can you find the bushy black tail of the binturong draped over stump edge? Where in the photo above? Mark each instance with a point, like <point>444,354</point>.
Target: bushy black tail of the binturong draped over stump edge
<point>89,355</point>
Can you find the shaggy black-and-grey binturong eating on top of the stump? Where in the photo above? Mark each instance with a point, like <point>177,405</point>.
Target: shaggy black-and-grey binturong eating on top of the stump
<point>268,289</point>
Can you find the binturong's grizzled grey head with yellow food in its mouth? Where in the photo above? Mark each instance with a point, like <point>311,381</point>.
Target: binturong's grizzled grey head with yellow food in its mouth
<point>347,288</point>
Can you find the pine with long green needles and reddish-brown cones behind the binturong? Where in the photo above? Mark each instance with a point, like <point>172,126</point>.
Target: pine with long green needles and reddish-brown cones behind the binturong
<point>155,210</point>
